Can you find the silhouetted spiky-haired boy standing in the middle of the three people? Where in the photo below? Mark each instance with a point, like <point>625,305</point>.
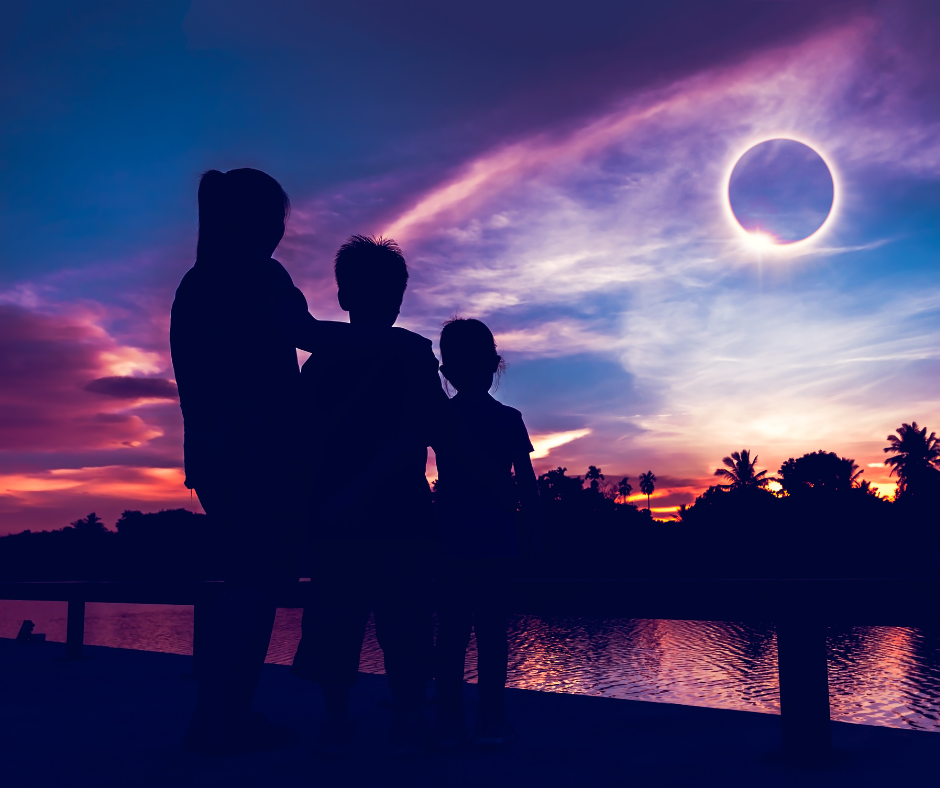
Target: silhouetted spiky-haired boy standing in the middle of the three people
<point>370,395</point>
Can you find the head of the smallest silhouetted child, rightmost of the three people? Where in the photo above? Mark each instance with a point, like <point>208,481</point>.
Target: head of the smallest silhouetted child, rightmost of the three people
<point>468,353</point>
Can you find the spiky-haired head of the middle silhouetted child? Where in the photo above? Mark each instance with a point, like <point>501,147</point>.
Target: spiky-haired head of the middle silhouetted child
<point>372,275</point>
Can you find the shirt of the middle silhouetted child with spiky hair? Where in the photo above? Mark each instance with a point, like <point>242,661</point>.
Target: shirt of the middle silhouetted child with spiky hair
<point>370,397</point>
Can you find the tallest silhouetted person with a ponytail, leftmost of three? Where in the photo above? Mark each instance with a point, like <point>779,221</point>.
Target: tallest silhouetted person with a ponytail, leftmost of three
<point>236,323</point>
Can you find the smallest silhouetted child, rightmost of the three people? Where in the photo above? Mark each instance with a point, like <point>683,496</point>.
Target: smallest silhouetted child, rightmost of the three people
<point>480,534</point>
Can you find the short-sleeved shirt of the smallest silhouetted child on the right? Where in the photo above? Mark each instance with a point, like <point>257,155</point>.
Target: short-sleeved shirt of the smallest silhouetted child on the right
<point>475,444</point>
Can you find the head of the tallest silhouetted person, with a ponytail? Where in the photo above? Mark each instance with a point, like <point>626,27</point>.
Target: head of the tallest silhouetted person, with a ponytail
<point>242,214</point>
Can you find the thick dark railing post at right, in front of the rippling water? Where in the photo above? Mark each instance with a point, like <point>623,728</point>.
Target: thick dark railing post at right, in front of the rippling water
<point>804,690</point>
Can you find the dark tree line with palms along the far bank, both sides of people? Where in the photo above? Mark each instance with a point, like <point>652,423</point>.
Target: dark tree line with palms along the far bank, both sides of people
<point>822,519</point>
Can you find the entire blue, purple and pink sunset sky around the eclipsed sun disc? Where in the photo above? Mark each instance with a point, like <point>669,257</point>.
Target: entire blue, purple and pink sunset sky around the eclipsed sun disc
<point>558,170</point>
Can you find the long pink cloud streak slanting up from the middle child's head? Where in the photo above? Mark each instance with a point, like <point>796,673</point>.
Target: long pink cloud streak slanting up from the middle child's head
<point>772,79</point>
